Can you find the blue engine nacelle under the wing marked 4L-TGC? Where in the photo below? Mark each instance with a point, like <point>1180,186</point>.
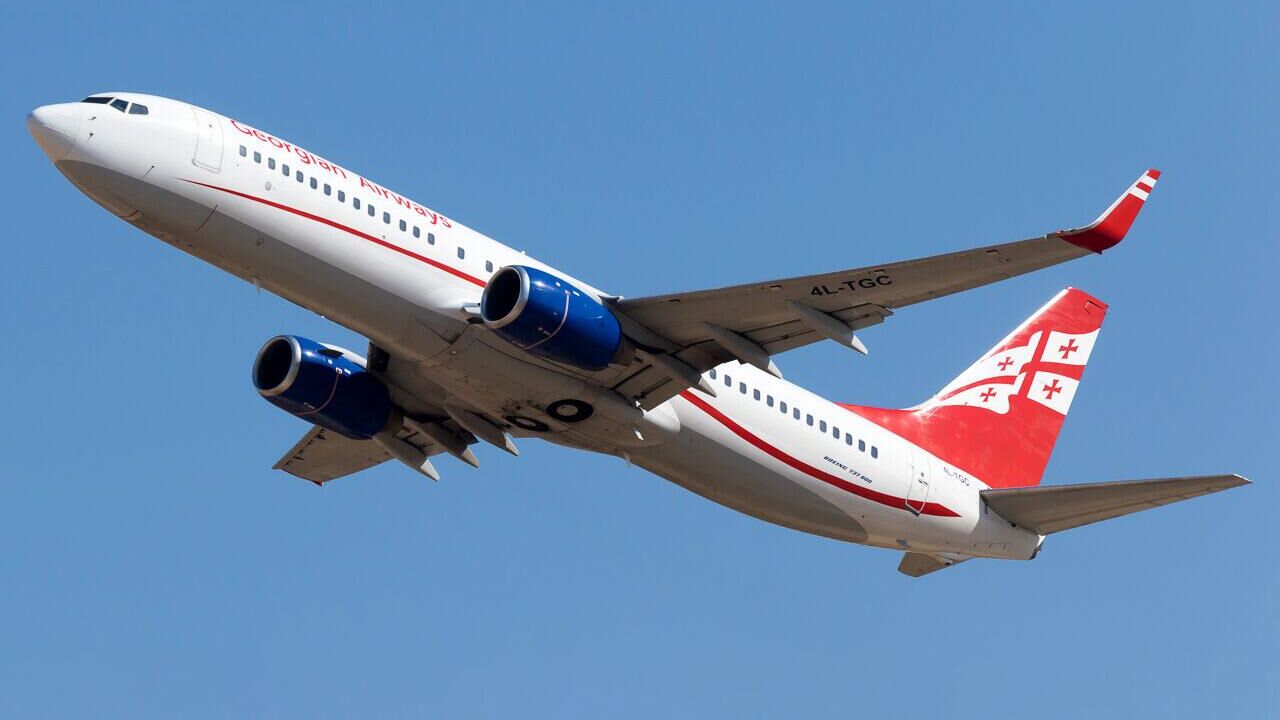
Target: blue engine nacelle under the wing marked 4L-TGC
<point>551,318</point>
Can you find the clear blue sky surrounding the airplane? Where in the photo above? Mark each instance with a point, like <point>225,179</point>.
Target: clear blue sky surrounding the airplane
<point>154,566</point>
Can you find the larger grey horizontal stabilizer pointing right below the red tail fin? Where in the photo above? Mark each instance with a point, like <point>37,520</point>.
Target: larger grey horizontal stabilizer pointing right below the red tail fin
<point>1053,509</point>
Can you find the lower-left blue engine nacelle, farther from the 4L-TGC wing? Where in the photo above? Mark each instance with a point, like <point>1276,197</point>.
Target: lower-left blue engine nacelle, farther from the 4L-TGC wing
<point>322,385</point>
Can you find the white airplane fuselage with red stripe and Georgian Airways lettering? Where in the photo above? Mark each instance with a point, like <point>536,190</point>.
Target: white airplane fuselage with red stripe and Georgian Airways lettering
<point>403,275</point>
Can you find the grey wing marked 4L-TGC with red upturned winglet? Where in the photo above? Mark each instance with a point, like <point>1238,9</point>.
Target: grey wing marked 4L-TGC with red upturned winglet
<point>684,335</point>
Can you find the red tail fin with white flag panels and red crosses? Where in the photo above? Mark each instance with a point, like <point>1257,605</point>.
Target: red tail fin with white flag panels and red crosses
<point>1000,418</point>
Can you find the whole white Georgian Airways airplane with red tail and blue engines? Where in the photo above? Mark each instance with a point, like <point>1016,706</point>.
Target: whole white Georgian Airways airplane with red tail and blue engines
<point>472,343</point>
